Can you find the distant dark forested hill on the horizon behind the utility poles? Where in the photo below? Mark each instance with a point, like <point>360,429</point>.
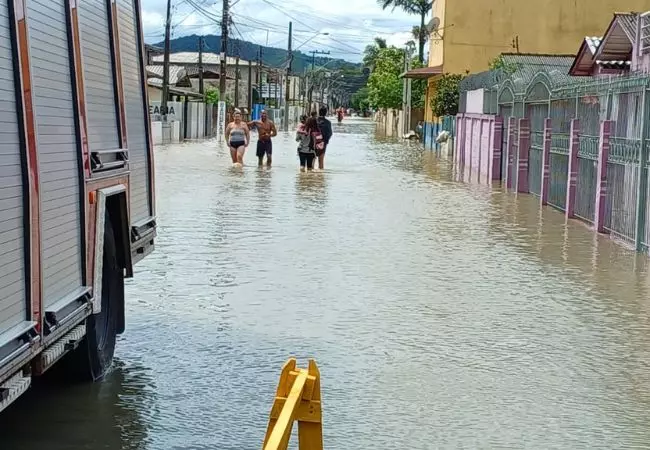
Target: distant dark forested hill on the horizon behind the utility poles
<point>248,51</point>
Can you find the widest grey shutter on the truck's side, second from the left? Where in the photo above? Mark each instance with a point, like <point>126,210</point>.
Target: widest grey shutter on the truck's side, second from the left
<point>59,157</point>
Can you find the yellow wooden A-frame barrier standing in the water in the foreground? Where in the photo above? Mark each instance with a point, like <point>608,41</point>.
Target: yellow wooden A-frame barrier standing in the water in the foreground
<point>297,399</point>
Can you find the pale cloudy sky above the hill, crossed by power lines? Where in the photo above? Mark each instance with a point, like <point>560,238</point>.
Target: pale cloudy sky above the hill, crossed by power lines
<point>265,22</point>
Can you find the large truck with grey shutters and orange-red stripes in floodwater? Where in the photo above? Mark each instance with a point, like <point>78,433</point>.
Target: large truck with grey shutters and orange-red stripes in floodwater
<point>77,206</point>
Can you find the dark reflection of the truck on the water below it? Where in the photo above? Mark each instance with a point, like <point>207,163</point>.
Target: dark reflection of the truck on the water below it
<point>114,414</point>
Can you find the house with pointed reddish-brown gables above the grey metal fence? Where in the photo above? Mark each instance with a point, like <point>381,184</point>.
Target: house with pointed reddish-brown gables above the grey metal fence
<point>622,49</point>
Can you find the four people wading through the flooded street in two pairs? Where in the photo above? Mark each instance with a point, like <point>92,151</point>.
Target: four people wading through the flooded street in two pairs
<point>312,135</point>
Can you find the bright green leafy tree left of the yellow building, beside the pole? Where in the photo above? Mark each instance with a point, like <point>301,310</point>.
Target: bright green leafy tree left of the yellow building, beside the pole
<point>384,84</point>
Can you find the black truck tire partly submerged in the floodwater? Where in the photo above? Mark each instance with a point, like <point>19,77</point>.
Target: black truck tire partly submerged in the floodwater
<point>94,356</point>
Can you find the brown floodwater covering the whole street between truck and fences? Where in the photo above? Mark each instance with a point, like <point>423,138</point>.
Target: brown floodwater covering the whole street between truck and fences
<point>441,314</point>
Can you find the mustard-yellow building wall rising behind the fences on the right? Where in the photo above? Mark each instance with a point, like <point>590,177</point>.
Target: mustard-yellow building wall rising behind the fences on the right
<point>466,35</point>
